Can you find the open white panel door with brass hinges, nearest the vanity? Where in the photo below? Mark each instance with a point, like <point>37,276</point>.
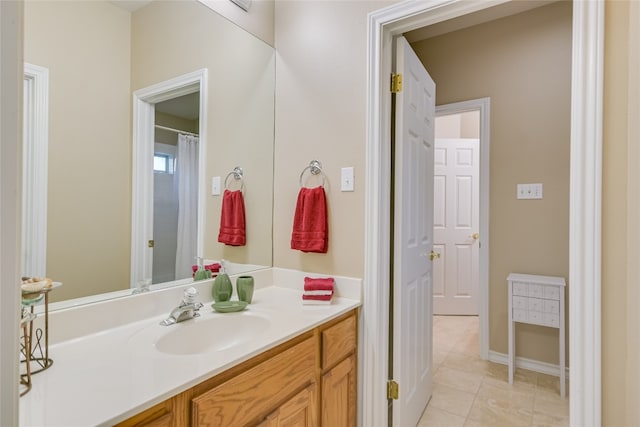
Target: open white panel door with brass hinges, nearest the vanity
<point>413,232</point>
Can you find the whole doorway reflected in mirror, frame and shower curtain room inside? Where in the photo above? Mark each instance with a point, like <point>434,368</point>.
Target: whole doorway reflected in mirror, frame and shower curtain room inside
<point>189,88</point>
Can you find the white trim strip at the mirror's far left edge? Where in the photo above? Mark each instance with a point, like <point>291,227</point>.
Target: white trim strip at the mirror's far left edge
<point>35,160</point>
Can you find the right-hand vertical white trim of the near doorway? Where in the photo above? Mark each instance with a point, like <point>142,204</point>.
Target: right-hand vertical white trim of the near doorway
<point>585,214</point>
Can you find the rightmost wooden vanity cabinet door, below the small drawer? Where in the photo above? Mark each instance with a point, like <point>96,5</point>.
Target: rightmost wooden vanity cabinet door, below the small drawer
<point>339,395</point>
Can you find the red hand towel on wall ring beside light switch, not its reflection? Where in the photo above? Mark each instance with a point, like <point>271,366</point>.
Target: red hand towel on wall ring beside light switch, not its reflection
<point>310,226</point>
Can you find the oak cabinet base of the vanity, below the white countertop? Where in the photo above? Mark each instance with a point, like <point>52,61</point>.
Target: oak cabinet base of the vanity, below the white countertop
<point>309,377</point>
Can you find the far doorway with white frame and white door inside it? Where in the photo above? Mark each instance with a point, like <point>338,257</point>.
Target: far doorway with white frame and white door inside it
<point>464,126</point>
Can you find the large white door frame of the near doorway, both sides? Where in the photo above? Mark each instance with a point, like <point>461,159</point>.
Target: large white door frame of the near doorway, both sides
<point>585,200</point>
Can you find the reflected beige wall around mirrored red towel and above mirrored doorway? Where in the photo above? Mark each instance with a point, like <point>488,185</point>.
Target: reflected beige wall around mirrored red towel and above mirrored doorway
<point>240,107</point>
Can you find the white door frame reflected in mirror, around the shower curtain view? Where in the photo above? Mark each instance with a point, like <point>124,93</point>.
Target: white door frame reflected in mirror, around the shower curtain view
<point>144,101</point>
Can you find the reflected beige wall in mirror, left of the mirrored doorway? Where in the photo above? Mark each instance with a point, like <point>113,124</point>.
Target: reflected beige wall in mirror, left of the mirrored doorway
<point>89,141</point>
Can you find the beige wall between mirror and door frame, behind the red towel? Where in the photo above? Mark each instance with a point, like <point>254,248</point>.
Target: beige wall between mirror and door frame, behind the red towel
<point>320,114</point>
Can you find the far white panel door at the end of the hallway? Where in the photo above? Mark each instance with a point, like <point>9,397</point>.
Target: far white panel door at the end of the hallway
<point>456,225</point>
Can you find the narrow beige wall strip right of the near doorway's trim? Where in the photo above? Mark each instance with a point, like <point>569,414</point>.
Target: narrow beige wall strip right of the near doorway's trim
<point>620,217</point>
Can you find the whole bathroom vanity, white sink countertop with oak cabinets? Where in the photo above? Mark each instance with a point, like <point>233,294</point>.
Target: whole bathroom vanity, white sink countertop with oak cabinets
<point>276,361</point>
